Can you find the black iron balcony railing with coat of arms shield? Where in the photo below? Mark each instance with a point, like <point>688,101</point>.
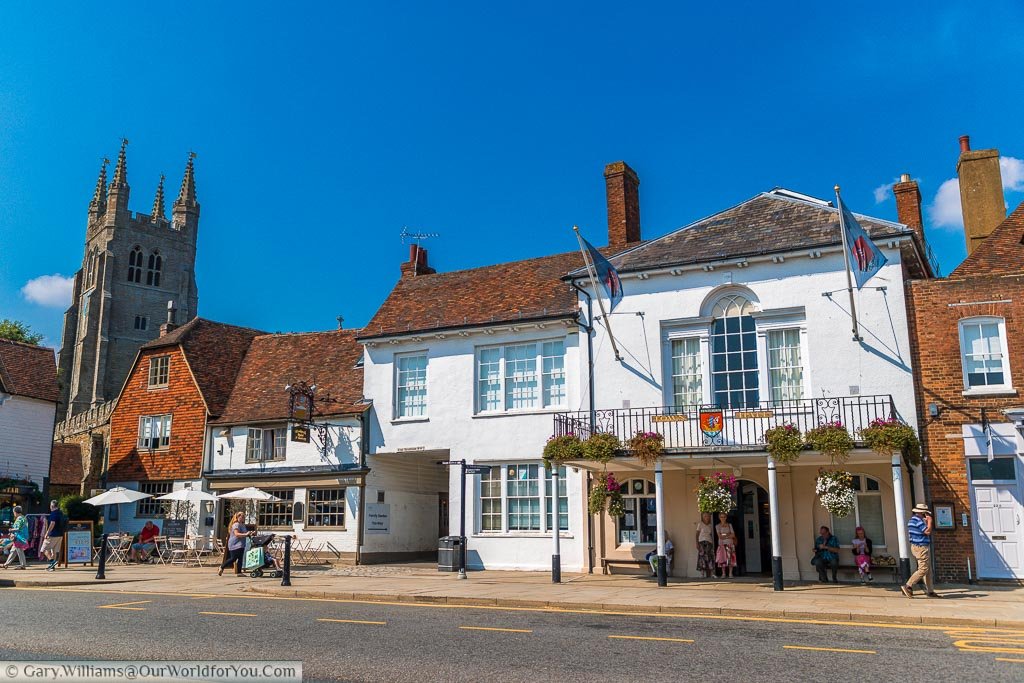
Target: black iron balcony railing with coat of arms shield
<point>709,429</point>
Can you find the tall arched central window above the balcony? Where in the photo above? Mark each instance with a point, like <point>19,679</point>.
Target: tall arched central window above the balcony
<point>734,354</point>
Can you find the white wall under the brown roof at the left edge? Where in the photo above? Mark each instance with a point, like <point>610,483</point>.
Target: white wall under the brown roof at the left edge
<point>26,439</point>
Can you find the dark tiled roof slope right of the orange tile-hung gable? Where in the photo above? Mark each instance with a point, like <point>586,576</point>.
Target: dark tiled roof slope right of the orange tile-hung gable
<point>215,352</point>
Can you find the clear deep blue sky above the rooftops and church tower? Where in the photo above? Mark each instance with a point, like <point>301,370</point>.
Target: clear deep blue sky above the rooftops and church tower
<point>324,130</point>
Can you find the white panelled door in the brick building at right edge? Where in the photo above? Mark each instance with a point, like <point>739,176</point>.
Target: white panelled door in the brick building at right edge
<point>998,536</point>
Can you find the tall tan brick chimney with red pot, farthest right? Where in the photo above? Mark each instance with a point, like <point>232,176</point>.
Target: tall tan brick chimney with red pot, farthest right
<point>982,193</point>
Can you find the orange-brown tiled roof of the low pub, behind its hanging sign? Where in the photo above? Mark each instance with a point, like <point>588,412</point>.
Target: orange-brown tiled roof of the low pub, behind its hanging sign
<point>329,359</point>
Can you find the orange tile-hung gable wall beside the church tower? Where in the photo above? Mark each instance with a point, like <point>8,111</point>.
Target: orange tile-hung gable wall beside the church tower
<point>182,399</point>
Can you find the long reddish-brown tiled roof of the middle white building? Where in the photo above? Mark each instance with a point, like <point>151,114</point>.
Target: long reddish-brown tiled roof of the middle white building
<point>522,290</point>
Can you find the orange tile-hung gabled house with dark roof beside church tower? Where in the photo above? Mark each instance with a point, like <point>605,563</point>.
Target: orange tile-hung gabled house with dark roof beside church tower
<point>178,383</point>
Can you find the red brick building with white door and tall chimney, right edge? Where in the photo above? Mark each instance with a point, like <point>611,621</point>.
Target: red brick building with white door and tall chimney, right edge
<point>968,337</point>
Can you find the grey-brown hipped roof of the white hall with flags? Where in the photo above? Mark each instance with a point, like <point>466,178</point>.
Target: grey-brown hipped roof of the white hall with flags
<point>767,224</point>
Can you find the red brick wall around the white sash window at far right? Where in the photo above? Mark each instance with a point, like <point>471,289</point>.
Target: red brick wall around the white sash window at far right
<point>936,355</point>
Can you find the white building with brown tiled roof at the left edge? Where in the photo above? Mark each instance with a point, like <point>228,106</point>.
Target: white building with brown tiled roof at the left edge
<point>28,405</point>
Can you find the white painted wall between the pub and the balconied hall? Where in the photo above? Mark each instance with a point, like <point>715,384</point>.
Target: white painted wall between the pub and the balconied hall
<point>452,426</point>
